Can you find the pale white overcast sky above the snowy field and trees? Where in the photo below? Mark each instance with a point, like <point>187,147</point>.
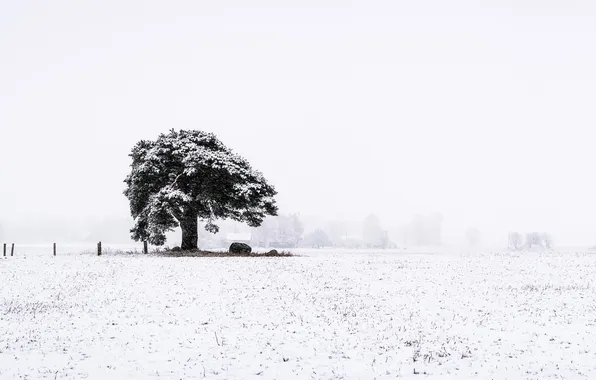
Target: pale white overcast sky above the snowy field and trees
<point>481,110</point>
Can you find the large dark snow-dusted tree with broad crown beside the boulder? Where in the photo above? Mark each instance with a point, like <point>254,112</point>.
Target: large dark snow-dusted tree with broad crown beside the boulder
<point>184,176</point>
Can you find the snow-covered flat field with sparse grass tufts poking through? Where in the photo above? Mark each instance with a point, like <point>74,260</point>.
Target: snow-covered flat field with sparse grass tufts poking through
<point>323,316</point>
